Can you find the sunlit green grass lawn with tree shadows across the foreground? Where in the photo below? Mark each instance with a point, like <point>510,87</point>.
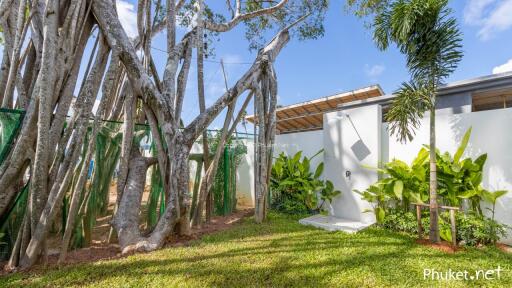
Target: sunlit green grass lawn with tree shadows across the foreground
<point>280,252</point>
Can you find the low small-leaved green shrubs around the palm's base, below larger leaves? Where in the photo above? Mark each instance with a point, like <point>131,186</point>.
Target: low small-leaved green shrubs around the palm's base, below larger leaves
<point>472,229</point>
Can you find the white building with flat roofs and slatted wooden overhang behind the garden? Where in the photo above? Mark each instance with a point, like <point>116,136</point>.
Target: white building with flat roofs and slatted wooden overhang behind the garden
<point>351,129</point>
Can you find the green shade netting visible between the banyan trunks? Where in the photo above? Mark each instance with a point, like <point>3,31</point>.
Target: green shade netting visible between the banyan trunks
<point>102,170</point>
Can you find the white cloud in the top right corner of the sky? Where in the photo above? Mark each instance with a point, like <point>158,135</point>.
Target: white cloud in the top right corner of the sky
<point>490,16</point>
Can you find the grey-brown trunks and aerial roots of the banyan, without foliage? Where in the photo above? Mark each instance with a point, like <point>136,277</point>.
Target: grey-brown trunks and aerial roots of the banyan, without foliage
<point>43,71</point>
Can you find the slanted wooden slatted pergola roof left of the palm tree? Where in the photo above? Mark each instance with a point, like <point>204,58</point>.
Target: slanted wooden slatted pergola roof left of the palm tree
<point>308,116</point>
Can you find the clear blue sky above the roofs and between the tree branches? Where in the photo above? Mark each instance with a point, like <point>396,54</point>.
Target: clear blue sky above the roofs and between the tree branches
<point>346,57</point>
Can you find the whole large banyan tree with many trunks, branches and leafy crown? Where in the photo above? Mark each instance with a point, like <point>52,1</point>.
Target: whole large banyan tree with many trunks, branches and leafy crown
<point>51,132</point>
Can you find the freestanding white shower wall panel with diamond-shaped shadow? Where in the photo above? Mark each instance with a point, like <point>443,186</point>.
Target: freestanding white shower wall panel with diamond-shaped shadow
<point>352,139</point>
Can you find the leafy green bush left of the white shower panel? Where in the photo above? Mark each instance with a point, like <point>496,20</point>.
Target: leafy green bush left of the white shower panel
<point>295,189</point>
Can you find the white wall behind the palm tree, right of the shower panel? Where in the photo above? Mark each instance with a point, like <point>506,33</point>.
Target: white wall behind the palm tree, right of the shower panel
<point>491,134</point>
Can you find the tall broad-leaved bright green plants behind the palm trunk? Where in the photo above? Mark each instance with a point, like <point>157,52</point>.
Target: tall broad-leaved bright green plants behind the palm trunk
<point>458,179</point>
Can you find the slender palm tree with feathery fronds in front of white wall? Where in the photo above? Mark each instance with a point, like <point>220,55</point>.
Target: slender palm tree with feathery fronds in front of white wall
<point>428,35</point>
